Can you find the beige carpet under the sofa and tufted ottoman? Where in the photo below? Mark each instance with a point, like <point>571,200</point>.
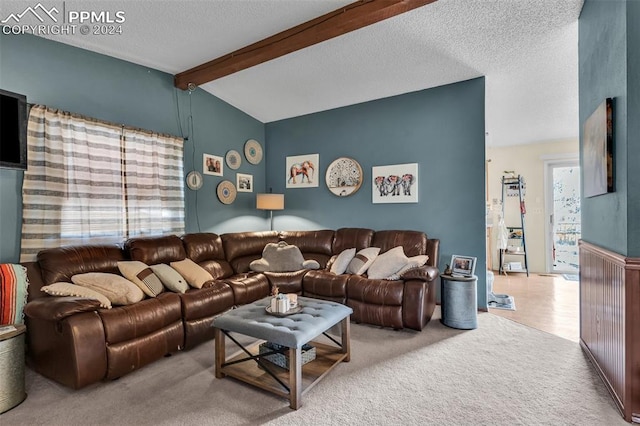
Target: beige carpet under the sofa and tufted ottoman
<point>503,373</point>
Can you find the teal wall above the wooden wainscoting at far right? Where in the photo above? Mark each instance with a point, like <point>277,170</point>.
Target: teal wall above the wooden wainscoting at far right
<point>608,67</point>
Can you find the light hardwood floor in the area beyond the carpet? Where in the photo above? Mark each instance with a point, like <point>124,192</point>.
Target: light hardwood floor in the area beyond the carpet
<point>548,303</point>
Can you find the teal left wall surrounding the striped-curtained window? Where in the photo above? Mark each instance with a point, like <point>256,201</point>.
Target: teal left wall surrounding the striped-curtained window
<point>99,86</point>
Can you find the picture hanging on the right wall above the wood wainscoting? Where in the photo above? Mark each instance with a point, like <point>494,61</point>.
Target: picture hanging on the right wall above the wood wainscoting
<point>598,151</point>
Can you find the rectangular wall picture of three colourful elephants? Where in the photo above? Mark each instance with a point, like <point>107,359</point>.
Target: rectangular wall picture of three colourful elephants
<point>395,184</point>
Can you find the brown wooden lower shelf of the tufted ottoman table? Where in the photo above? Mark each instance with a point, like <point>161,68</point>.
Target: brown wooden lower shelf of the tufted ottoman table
<point>327,357</point>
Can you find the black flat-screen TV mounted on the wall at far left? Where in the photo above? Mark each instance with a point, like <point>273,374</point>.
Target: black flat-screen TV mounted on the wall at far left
<point>13,130</point>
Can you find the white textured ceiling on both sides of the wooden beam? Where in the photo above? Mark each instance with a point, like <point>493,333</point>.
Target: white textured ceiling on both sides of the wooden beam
<point>526,49</point>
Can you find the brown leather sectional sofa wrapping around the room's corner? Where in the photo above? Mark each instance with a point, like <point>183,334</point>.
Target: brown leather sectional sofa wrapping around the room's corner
<point>75,342</point>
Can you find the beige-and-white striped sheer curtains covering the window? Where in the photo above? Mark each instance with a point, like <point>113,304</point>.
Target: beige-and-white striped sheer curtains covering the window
<point>80,173</point>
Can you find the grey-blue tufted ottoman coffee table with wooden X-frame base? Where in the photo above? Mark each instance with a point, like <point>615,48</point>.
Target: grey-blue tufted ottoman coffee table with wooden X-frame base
<point>291,331</point>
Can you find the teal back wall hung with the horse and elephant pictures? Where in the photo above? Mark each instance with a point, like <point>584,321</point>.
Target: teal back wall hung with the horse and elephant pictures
<point>441,129</point>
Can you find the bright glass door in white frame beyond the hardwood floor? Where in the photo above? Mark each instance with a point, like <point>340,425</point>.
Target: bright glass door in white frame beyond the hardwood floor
<point>562,192</point>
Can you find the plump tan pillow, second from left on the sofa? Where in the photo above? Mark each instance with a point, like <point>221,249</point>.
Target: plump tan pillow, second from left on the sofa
<point>119,290</point>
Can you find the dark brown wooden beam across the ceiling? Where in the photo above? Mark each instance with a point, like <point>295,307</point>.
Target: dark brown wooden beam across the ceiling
<point>333,24</point>
